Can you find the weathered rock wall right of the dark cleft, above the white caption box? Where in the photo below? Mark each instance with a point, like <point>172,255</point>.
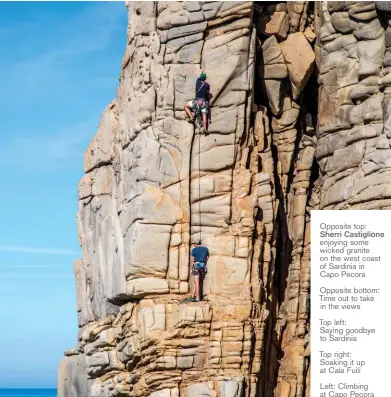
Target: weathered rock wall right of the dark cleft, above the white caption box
<point>354,105</point>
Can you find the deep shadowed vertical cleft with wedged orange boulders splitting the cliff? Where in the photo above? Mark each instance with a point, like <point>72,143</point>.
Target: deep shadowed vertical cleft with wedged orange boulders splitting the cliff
<point>287,87</point>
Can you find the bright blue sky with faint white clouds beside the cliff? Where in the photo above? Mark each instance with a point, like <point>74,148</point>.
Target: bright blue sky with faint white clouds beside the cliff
<point>59,68</point>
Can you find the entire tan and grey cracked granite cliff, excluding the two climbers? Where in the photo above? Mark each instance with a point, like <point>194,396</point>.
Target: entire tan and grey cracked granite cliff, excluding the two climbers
<point>300,115</point>
